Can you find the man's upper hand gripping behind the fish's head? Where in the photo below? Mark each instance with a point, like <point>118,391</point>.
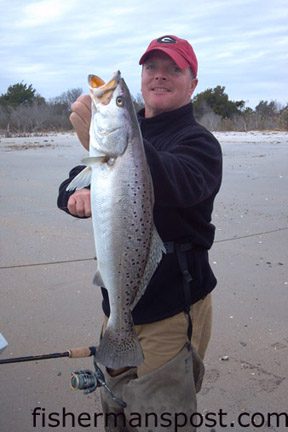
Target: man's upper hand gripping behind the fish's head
<point>80,118</point>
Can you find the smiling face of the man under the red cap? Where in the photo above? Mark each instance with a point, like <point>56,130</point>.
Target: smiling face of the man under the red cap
<point>165,86</point>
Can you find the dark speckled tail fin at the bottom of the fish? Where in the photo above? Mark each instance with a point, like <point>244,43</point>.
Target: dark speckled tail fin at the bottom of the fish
<point>116,351</point>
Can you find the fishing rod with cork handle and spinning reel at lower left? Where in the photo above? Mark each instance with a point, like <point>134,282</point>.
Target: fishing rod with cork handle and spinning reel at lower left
<point>83,379</point>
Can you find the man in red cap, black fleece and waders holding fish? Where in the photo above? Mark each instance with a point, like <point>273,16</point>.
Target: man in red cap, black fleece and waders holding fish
<point>186,166</point>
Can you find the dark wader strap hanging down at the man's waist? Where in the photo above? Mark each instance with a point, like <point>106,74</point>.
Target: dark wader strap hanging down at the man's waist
<point>187,278</point>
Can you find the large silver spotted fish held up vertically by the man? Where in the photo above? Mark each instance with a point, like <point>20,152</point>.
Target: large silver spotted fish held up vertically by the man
<point>127,245</point>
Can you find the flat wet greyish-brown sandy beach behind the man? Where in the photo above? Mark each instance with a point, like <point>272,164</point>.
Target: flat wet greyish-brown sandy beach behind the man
<point>48,303</point>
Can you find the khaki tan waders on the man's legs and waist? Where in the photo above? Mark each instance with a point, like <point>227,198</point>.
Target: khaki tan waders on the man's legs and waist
<point>161,393</point>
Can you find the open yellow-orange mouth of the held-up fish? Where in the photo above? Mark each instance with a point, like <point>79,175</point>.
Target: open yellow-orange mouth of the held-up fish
<point>102,92</point>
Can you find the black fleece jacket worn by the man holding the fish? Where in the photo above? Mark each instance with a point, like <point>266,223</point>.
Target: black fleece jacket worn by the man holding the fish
<point>186,167</point>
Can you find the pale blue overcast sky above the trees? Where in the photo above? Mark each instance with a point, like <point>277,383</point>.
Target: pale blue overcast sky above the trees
<point>55,44</point>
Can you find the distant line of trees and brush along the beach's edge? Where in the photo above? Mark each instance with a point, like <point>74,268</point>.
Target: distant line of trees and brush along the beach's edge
<point>24,111</point>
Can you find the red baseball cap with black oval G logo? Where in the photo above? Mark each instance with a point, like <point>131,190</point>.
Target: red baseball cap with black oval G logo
<point>178,49</point>
